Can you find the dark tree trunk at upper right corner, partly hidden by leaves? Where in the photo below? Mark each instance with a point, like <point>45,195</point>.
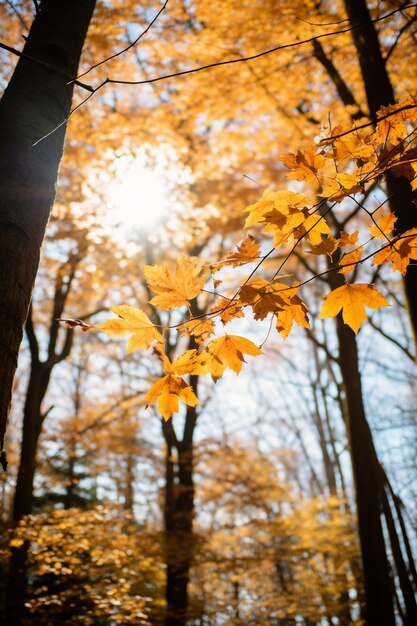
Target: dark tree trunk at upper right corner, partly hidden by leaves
<point>379,92</point>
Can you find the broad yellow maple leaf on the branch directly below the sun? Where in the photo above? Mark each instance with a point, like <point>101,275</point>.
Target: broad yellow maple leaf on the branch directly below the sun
<point>176,289</point>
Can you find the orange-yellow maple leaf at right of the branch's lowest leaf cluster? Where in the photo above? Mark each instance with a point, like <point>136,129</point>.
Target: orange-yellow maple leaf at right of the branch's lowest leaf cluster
<point>228,351</point>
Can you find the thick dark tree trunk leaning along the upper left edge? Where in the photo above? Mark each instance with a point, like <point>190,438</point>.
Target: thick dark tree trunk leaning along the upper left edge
<point>37,99</point>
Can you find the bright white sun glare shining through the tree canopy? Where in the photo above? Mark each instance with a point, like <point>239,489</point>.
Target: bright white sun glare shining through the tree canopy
<point>138,196</point>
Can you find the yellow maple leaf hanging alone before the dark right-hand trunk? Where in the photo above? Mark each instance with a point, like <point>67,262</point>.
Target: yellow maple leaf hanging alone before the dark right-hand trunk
<point>351,300</point>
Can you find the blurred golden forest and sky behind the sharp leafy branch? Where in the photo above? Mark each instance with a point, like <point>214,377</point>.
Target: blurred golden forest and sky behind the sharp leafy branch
<point>241,510</point>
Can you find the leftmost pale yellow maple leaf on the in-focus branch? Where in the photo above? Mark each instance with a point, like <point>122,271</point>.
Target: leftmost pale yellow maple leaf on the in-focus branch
<point>133,322</point>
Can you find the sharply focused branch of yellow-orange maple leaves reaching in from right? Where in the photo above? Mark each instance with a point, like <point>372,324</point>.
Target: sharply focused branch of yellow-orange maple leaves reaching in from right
<point>338,168</point>
